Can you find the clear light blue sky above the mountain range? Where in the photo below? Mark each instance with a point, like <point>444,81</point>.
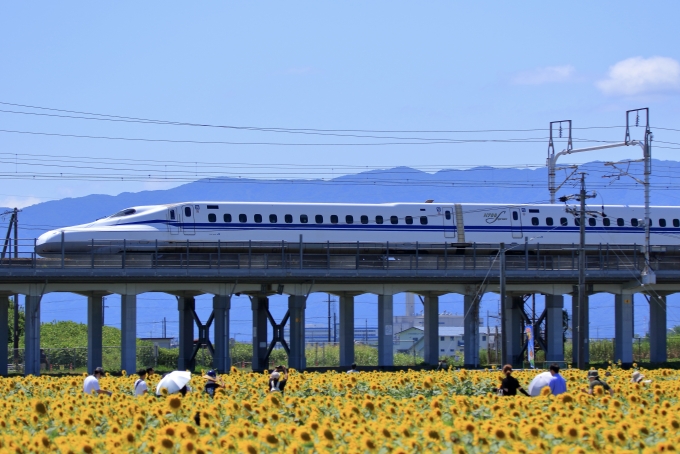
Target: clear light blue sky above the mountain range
<point>384,66</point>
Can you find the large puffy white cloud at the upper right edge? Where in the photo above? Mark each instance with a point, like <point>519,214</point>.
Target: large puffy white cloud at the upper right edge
<point>637,75</point>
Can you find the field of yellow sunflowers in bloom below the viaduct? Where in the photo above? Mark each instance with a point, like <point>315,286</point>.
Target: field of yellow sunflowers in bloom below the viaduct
<point>369,412</point>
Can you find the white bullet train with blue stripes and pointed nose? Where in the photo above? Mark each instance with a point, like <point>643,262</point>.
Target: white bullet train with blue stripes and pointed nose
<point>166,227</point>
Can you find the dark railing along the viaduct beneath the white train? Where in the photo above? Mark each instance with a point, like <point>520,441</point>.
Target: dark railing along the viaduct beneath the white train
<point>340,256</point>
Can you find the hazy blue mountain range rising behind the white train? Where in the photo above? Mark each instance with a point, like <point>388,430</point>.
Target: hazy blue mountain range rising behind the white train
<point>399,184</point>
